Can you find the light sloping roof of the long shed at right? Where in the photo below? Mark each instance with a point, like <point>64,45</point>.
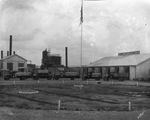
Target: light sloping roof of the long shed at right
<point>122,60</point>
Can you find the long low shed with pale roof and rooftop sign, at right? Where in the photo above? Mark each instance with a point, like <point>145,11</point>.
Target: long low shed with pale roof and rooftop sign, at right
<point>132,65</point>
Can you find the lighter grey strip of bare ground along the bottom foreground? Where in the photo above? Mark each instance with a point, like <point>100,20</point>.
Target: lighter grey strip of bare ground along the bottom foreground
<point>21,114</point>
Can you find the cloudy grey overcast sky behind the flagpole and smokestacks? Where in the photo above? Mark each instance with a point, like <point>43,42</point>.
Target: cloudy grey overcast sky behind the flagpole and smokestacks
<point>109,27</point>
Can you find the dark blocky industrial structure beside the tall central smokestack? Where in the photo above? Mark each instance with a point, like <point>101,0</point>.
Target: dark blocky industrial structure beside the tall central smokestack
<point>50,60</point>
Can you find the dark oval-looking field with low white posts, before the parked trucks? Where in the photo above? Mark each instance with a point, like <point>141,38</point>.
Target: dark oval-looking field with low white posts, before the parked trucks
<point>88,97</point>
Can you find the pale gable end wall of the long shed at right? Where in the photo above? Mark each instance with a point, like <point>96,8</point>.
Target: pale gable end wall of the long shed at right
<point>142,70</point>
